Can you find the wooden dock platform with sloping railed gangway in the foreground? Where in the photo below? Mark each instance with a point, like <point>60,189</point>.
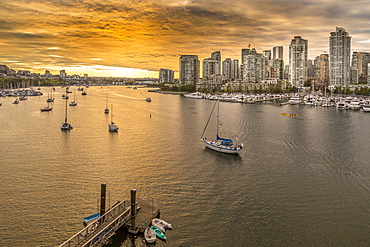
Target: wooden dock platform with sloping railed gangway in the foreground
<point>100,230</point>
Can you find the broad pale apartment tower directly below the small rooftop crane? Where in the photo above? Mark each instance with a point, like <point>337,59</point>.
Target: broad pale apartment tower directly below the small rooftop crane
<point>253,66</point>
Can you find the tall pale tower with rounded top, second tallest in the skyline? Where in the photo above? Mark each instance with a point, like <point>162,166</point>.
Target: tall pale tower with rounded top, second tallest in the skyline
<point>298,53</point>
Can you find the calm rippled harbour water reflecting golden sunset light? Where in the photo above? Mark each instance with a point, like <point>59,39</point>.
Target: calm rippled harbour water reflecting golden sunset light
<point>297,182</point>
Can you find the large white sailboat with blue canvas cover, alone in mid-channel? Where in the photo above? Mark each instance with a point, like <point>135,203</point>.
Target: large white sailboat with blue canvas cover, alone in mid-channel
<point>222,145</point>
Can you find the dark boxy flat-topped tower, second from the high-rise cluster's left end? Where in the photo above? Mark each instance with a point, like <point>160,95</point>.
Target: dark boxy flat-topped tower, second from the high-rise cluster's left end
<point>189,69</point>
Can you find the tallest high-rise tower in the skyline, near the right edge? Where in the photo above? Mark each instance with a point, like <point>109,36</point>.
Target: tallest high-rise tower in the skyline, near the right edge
<point>340,56</point>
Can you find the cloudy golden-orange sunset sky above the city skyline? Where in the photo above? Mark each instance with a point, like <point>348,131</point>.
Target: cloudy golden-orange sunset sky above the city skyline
<point>135,38</point>
